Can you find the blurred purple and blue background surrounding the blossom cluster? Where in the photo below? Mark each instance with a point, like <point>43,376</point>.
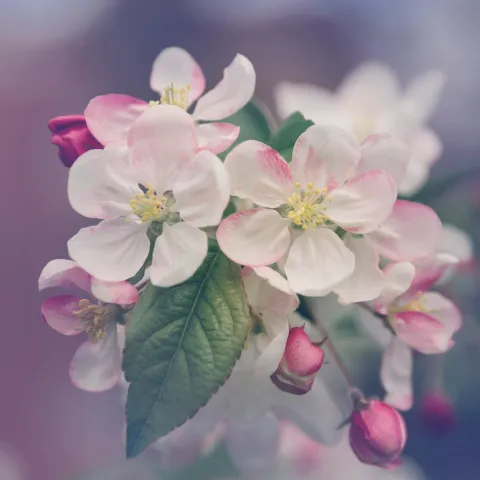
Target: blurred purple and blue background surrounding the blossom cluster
<point>57,54</point>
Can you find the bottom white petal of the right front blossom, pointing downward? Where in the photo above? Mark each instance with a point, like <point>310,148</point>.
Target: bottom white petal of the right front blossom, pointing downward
<point>318,260</point>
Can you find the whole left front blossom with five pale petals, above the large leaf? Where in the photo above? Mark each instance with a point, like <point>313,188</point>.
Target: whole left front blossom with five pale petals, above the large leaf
<point>167,189</point>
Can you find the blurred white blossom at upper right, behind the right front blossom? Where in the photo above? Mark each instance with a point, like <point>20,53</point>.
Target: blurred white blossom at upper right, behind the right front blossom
<point>370,101</point>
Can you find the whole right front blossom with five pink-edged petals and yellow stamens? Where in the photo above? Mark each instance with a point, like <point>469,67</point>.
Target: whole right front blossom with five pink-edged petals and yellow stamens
<point>302,205</point>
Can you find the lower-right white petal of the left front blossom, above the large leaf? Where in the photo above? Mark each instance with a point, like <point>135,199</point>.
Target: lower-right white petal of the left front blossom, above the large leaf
<point>178,253</point>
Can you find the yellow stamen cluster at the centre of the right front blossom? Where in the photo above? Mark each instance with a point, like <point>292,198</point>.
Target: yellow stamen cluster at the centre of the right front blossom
<point>305,206</point>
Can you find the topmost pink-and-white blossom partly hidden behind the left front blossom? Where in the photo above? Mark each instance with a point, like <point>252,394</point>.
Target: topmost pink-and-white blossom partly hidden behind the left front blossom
<point>179,80</point>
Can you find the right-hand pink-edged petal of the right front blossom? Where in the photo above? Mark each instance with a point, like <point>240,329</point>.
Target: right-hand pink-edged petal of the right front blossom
<point>363,203</point>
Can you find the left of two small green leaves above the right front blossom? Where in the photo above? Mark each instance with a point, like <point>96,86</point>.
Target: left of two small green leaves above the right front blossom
<point>253,125</point>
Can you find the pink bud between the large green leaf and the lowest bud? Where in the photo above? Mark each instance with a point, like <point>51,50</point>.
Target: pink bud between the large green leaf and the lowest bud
<point>300,362</point>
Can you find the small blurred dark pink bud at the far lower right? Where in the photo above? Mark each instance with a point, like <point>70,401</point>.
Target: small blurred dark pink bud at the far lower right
<point>437,413</point>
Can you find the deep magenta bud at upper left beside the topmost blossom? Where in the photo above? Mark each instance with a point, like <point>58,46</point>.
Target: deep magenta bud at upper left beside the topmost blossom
<point>72,137</point>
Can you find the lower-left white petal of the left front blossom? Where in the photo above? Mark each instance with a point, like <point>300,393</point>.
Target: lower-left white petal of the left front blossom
<point>113,250</point>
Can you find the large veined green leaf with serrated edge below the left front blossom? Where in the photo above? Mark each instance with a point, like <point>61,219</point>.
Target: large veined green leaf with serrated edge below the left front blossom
<point>181,344</point>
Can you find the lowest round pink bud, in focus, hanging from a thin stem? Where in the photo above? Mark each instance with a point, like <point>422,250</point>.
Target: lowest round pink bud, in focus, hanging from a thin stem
<point>377,433</point>
